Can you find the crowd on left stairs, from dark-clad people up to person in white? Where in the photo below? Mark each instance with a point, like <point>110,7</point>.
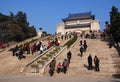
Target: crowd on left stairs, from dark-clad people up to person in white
<point>28,48</point>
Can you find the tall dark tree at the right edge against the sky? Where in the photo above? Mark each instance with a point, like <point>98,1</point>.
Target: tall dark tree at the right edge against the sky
<point>115,23</point>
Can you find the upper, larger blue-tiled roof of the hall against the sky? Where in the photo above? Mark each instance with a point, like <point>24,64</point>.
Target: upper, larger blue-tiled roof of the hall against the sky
<point>77,16</point>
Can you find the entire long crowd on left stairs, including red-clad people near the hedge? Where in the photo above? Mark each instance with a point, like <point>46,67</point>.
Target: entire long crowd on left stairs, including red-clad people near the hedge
<point>32,48</point>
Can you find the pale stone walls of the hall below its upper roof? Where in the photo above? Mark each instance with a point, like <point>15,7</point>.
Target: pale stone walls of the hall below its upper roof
<point>95,26</point>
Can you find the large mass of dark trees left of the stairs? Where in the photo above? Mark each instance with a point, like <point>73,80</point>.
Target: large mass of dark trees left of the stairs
<point>15,27</point>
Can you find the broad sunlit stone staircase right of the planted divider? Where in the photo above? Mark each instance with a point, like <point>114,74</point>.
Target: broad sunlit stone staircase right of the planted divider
<point>109,60</point>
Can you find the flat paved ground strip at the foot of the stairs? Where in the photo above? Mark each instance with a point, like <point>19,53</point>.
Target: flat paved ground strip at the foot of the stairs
<point>53,79</point>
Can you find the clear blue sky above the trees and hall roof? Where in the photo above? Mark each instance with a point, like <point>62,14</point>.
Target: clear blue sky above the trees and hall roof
<point>48,13</point>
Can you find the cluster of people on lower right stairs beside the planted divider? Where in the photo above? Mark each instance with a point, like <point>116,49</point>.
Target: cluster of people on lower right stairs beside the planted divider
<point>61,67</point>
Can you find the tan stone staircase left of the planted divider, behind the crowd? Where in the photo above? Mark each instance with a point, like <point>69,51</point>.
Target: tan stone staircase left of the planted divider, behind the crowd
<point>8,60</point>
